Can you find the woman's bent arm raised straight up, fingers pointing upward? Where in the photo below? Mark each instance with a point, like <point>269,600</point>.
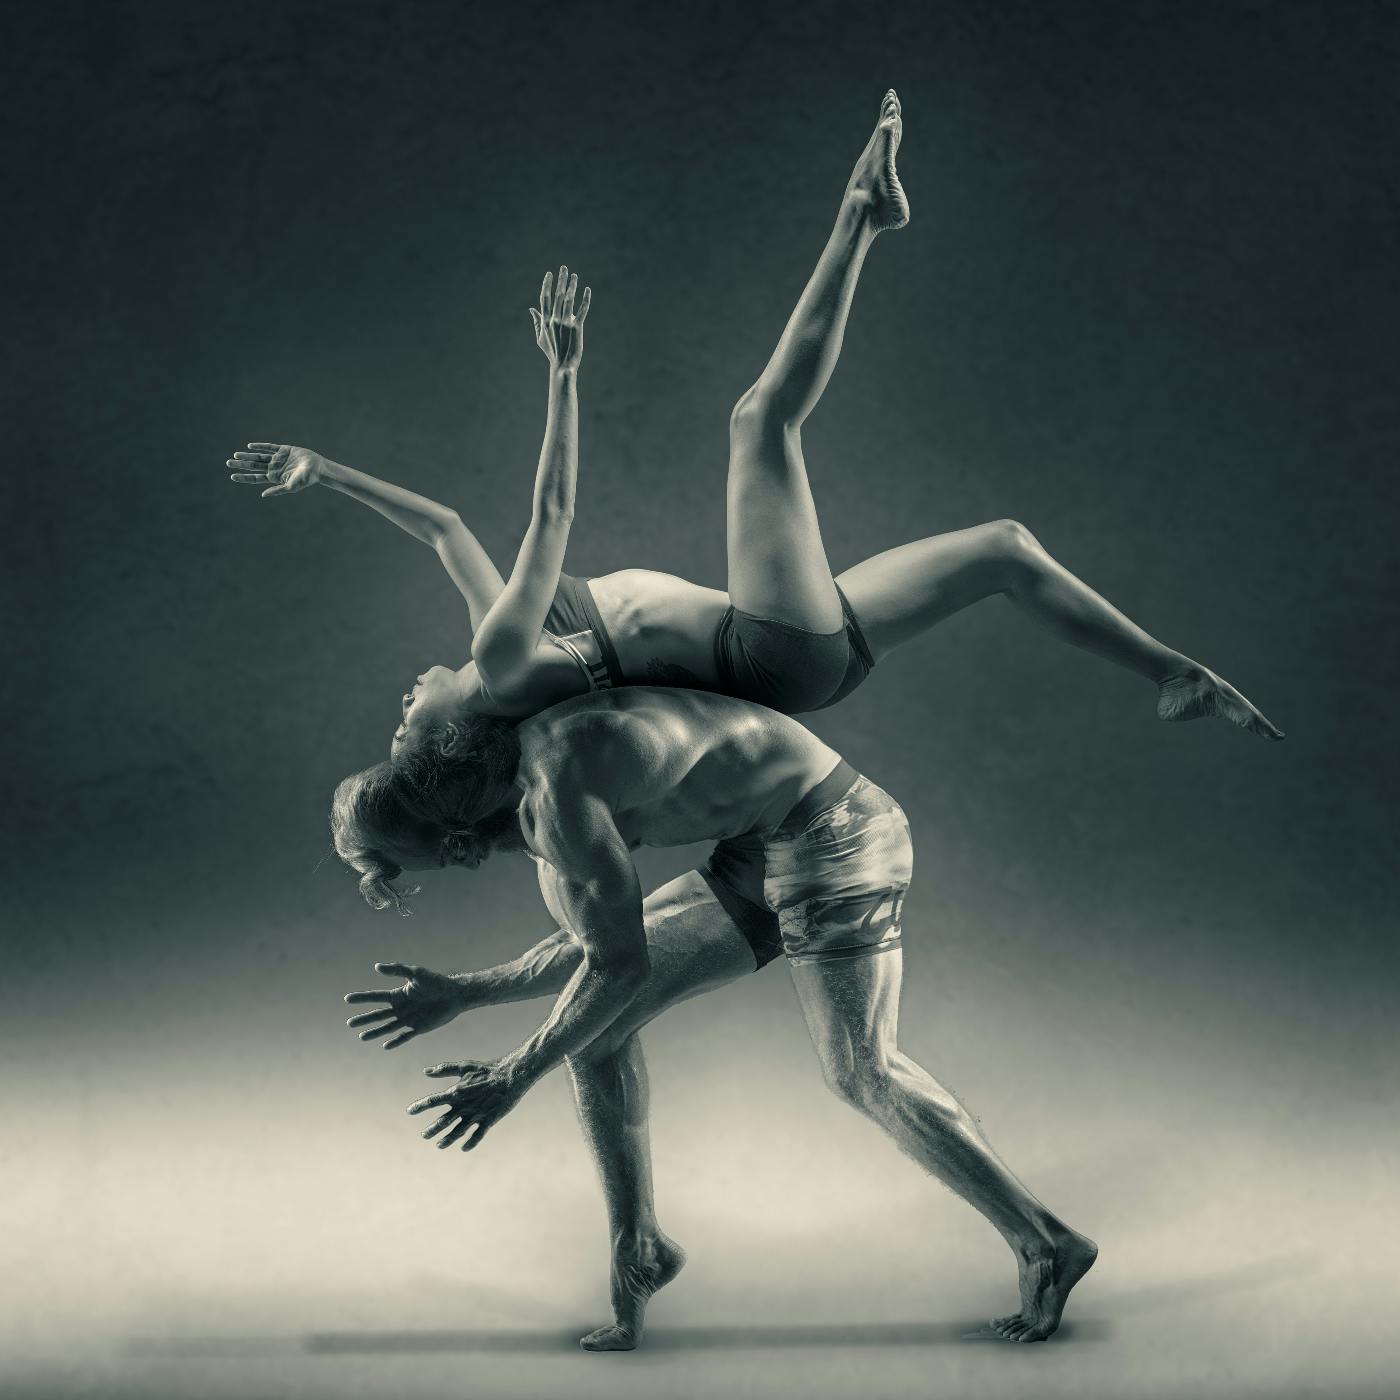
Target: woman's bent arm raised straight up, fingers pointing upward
<point>507,639</point>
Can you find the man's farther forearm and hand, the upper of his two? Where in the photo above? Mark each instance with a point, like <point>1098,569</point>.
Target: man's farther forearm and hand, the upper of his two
<point>429,1000</point>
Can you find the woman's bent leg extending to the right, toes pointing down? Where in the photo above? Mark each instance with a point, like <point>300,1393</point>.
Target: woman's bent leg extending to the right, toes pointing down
<point>905,591</point>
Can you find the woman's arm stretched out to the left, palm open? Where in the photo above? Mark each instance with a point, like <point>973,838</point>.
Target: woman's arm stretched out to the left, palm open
<point>285,470</point>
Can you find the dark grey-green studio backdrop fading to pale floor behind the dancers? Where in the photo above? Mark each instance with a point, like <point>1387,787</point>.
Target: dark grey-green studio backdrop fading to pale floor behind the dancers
<point>1149,306</point>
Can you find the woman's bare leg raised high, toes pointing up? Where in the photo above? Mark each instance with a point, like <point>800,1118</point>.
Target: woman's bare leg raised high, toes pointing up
<point>778,563</point>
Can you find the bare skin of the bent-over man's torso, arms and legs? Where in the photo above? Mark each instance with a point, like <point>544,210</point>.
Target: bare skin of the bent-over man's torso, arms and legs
<point>667,768</point>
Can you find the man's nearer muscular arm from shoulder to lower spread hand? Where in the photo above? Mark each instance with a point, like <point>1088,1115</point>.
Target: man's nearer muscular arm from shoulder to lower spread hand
<point>600,898</point>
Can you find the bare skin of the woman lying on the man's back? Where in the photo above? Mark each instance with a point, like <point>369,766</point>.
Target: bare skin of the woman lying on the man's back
<point>663,626</point>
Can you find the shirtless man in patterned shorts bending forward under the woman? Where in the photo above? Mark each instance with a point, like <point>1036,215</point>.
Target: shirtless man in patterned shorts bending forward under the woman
<point>801,836</point>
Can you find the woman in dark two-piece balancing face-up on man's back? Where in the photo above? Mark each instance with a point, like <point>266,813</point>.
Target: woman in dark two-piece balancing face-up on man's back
<point>787,635</point>
